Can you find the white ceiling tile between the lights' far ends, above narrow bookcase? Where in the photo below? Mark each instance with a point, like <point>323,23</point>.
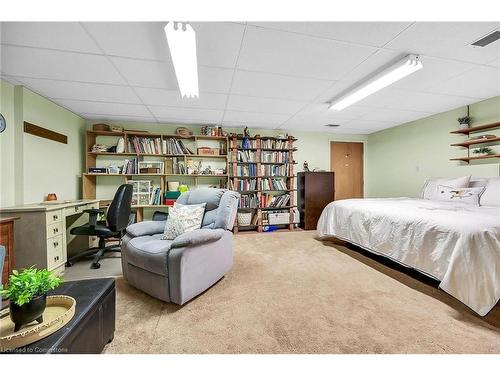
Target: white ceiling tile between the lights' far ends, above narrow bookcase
<point>268,105</point>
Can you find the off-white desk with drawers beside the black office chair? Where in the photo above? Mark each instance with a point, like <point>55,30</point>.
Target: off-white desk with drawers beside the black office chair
<point>42,235</point>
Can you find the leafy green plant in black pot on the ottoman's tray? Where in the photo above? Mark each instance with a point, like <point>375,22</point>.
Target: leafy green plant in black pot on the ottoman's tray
<point>27,293</point>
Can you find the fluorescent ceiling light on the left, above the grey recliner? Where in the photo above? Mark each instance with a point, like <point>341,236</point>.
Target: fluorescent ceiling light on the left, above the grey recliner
<point>182,44</point>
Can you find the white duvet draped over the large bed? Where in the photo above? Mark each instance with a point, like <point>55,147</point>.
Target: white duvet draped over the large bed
<point>455,243</point>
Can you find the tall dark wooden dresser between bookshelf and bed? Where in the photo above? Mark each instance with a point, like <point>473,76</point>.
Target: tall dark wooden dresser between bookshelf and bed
<point>314,191</point>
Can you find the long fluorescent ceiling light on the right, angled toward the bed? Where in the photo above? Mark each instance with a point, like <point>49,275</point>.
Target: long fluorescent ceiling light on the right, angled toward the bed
<point>410,64</point>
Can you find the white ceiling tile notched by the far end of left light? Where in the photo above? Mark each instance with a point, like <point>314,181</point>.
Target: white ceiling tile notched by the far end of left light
<point>173,99</point>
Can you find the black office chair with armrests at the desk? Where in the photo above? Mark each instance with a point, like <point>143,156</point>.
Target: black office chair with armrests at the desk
<point>117,219</point>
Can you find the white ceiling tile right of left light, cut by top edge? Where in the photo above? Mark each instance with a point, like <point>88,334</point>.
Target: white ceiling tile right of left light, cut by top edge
<point>218,43</point>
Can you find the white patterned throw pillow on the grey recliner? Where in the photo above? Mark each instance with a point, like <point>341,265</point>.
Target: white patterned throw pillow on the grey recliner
<point>183,218</point>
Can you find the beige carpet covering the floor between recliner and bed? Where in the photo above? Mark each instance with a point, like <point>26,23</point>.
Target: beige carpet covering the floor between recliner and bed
<point>289,293</point>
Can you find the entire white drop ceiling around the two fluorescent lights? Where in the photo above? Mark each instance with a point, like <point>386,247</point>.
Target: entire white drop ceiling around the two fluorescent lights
<point>275,75</point>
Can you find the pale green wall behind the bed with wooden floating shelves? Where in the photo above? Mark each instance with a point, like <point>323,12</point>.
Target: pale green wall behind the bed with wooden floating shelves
<point>399,159</point>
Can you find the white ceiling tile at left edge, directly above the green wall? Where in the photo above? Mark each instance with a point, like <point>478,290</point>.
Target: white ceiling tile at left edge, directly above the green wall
<point>39,63</point>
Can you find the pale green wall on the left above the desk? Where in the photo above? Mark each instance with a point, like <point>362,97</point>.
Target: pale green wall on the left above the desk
<point>36,166</point>
